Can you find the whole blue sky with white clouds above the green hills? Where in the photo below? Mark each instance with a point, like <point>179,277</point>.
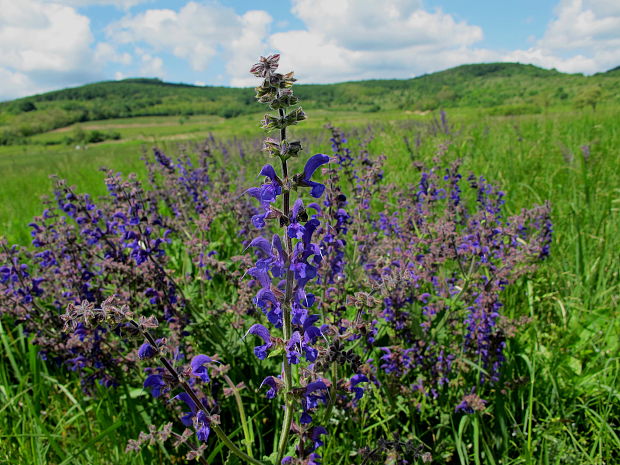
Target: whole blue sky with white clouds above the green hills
<point>50,44</point>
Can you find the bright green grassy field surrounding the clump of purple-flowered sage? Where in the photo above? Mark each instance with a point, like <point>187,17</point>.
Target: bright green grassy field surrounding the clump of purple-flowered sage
<point>570,346</point>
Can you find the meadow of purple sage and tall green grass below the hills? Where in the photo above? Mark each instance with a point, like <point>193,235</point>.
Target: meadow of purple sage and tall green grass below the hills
<point>435,290</point>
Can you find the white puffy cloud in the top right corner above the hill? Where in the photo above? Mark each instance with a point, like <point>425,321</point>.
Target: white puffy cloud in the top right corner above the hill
<point>583,37</point>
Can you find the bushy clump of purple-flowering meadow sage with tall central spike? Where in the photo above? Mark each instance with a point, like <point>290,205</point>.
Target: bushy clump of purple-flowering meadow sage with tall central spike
<point>350,292</point>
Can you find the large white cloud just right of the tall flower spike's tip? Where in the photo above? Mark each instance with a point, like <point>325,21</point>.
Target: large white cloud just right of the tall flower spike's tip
<point>361,39</point>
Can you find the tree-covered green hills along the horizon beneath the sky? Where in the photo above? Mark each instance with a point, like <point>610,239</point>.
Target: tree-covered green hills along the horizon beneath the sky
<point>503,88</point>
